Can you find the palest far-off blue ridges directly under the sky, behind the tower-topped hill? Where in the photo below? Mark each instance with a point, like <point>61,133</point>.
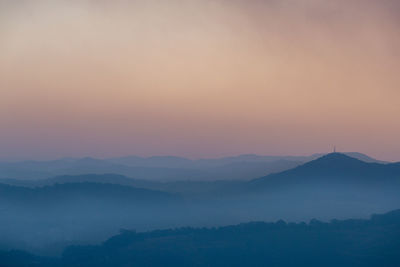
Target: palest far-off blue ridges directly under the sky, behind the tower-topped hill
<point>166,168</point>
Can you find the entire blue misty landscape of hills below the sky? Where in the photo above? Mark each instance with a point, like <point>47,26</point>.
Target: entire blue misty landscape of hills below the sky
<point>86,213</point>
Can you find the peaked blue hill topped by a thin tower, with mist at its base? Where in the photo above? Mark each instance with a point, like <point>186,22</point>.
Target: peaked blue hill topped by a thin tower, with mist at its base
<point>334,185</point>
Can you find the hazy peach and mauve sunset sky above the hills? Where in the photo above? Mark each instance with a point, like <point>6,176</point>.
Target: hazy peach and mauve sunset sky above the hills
<point>199,78</point>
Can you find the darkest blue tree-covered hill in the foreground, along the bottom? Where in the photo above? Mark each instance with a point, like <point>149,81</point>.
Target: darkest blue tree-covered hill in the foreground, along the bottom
<point>373,242</point>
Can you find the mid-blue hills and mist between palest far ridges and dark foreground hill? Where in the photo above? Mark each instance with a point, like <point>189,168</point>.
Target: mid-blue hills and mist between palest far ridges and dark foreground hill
<point>52,213</point>
